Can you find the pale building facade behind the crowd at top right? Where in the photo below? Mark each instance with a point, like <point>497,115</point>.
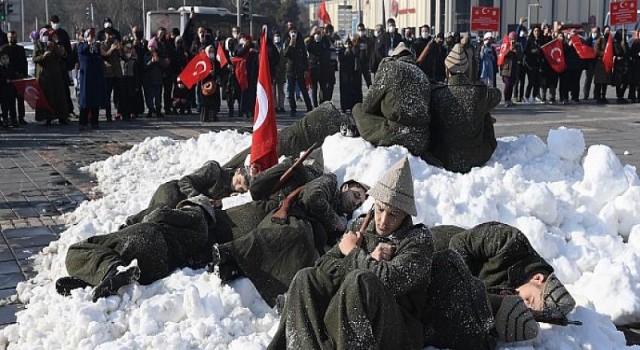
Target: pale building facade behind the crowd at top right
<point>454,15</point>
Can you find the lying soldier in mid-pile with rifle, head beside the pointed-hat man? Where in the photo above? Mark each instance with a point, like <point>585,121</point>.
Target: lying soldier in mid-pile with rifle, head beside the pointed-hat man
<point>292,237</point>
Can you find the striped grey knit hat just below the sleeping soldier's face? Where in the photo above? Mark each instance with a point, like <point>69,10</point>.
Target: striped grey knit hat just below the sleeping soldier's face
<point>514,321</point>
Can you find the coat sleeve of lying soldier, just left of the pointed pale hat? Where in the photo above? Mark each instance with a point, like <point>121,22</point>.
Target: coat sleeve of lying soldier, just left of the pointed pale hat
<point>318,196</point>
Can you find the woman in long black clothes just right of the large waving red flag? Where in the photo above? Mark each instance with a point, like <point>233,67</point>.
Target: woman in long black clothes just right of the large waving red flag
<point>209,89</point>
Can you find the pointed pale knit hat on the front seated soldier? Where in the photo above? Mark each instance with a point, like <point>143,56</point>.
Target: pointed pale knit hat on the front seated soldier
<point>396,188</point>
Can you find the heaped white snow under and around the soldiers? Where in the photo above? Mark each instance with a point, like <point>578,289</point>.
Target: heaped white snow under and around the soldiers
<point>580,211</point>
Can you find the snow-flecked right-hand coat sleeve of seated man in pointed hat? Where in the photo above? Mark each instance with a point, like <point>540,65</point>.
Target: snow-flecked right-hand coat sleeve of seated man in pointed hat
<point>409,268</point>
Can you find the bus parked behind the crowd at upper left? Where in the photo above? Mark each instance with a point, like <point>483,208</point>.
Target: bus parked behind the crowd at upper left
<point>216,18</point>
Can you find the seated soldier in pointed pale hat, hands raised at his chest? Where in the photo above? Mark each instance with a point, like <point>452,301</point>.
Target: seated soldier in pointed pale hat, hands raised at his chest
<point>367,291</point>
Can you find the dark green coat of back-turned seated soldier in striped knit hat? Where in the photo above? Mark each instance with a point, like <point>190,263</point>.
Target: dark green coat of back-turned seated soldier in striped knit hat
<point>462,134</point>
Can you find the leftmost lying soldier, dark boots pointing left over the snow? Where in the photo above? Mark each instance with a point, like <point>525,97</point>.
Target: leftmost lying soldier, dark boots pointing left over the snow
<point>166,239</point>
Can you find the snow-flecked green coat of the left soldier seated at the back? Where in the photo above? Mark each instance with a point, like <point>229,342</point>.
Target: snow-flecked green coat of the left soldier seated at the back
<point>395,111</point>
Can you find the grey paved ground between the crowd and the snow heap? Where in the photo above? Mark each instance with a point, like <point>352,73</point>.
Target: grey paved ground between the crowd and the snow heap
<point>41,178</point>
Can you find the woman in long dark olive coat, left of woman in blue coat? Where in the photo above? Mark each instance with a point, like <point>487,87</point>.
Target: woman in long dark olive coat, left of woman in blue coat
<point>47,59</point>
